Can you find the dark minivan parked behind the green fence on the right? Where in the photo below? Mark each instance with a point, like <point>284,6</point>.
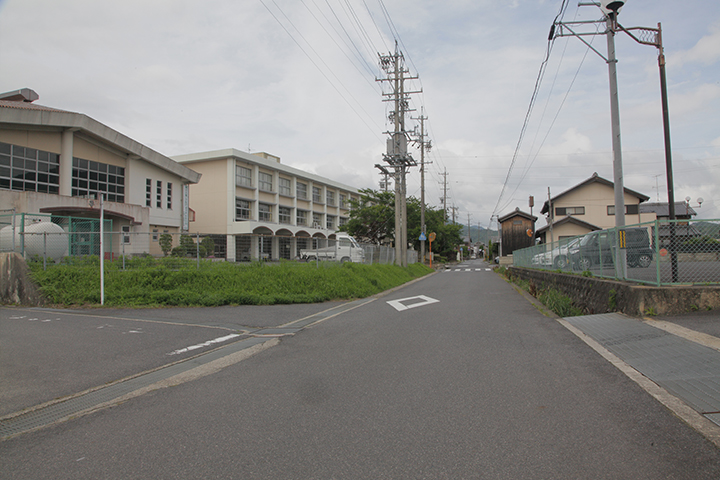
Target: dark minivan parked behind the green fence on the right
<point>599,248</point>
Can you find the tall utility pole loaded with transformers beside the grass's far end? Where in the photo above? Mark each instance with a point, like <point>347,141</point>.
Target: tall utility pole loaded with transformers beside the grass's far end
<point>397,156</point>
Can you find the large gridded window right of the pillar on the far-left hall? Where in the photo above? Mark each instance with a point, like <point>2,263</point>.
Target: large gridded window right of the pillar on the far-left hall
<point>93,179</point>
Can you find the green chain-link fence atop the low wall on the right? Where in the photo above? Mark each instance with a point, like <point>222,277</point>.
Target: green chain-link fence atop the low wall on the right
<point>656,253</point>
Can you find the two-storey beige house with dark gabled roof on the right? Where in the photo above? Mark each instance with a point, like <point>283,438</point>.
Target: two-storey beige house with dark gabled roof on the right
<point>589,206</point>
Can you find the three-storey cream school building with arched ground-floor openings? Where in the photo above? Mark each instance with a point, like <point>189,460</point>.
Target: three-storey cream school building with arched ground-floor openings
<point>257,207</point>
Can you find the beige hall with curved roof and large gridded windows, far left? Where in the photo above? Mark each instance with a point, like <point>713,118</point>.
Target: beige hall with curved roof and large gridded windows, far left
<point>57,164</point>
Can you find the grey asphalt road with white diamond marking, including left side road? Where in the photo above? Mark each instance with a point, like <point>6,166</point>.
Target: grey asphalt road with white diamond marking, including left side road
<point>460,378</point>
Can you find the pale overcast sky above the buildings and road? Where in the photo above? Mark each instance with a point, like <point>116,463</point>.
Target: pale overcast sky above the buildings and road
<point>297,79</point>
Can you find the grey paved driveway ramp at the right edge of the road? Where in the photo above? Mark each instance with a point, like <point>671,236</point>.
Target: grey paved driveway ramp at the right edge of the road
<point>688,369</point>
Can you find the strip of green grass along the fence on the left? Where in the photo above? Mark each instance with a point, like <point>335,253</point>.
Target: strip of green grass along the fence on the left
<point>150,282</point>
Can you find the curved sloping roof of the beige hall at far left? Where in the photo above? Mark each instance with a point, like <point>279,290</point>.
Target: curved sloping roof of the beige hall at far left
<point>24,114</point>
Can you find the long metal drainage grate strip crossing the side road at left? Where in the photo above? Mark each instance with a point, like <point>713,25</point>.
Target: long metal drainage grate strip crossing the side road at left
<point>75,406</point>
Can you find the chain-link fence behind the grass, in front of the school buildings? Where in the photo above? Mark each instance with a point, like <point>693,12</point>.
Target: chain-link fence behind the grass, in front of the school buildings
<point>52,239</point>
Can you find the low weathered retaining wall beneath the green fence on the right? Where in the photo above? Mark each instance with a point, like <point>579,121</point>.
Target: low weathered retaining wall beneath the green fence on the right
<point>594,295</point>
